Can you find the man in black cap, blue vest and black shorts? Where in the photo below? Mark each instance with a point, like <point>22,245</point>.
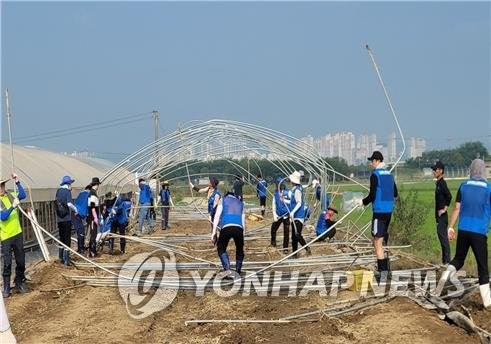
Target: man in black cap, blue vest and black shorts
<point>382,195</point>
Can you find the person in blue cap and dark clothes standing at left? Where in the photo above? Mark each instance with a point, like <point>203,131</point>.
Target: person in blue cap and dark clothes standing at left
<point>64,208</point>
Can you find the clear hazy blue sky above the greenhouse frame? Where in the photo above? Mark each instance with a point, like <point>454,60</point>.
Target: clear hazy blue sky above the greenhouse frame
<point>298,67</point>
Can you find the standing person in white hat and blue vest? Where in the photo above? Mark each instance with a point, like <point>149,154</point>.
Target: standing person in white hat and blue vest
<point>297,212</point>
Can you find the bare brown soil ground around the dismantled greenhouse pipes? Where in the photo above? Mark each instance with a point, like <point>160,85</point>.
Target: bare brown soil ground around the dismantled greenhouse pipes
<point>95,314</point>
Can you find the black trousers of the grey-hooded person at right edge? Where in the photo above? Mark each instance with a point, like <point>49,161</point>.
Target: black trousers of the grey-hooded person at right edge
<point>479,245</point>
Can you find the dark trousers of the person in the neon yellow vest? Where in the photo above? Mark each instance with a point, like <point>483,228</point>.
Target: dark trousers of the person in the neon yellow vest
<point>16,244</point>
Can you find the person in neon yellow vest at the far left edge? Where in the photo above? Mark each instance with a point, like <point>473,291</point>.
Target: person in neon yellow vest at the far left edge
<point>11,236</point>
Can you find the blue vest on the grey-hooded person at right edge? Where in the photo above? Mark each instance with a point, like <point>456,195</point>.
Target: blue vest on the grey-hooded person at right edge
<point>475,207</point>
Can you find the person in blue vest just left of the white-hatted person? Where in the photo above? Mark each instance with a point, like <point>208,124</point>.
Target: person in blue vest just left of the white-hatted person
<point>281,214</point>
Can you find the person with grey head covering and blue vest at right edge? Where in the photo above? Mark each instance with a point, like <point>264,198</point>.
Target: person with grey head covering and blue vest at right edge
<point>473,210</point>
